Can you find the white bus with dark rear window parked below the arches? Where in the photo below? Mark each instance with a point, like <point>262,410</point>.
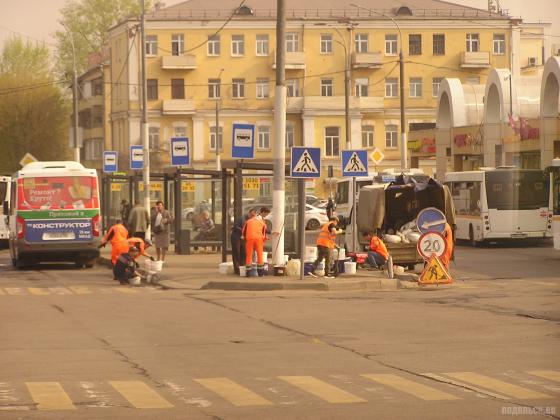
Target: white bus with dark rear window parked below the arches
<point>504,203</point>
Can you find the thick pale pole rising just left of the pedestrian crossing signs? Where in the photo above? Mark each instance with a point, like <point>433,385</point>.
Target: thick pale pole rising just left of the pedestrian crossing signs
<point>279,149</point>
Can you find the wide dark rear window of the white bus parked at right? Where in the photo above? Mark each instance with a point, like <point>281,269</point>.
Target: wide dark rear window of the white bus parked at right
<point>516,190</point>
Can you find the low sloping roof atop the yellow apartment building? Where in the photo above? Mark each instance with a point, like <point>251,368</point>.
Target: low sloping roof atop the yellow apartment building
<point>321,9</point>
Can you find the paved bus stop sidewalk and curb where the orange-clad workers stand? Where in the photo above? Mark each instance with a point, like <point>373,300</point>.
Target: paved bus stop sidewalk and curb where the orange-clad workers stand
<point>200,271</point>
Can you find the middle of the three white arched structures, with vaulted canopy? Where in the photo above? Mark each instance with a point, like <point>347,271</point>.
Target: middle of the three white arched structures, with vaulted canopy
<point>524,102</point>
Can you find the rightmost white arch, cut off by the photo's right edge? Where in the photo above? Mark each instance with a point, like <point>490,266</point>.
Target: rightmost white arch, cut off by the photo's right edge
<point>549,111</point>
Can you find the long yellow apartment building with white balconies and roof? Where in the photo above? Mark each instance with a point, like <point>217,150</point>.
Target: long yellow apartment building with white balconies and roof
<point>206,53</point>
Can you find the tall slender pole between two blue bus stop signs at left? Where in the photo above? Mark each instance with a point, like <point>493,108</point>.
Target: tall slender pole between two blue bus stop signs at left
<point>144,125</point>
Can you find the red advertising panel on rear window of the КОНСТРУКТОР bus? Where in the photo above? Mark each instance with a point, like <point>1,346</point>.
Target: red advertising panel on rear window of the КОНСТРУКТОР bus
<point>57,193</point>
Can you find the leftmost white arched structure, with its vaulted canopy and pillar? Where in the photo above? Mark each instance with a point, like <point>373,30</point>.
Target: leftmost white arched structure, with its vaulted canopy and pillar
<point>459,105</point>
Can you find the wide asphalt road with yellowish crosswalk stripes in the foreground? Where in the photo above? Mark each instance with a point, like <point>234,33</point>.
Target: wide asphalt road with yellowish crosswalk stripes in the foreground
<point>75,345</point>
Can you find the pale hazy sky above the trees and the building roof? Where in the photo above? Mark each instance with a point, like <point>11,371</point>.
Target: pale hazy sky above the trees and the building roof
<point>38,19</point>
